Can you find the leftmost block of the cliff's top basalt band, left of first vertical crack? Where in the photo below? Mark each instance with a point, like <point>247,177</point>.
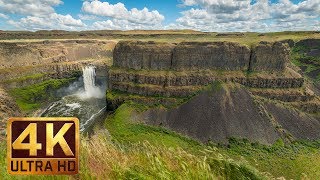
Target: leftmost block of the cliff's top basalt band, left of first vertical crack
<point>143,55</point>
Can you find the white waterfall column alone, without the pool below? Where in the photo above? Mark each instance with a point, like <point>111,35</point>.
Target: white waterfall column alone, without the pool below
<point>90,89</point>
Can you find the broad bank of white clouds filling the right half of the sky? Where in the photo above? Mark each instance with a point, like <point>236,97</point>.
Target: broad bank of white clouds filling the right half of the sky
<point>241,15</point>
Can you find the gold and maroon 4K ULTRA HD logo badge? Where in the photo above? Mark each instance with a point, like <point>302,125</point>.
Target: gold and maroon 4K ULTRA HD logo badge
<point>43,145</point>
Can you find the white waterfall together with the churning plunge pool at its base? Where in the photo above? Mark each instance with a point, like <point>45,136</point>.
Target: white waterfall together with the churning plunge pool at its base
<point>87,103</point>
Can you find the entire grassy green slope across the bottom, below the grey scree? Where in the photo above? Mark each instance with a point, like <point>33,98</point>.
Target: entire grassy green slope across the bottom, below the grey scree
<point>138,151</point>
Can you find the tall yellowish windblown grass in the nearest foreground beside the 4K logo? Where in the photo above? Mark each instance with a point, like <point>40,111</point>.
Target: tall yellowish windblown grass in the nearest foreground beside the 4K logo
<point>101,158</point>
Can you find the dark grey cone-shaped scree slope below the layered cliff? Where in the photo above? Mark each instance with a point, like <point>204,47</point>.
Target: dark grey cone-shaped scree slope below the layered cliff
<point>233,112</point>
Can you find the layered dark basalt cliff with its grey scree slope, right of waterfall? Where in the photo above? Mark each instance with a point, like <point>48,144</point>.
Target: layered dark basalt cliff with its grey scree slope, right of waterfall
<point>212,91</point>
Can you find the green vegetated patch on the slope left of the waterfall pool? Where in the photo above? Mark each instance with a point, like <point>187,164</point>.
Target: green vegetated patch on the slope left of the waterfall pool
<point>31,97</point>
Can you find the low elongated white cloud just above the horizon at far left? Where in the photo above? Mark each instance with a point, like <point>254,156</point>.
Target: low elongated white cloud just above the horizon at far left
<point>51,21</point>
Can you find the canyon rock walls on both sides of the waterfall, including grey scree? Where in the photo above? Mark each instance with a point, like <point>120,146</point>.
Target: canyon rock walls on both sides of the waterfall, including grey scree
<point>210,90</point>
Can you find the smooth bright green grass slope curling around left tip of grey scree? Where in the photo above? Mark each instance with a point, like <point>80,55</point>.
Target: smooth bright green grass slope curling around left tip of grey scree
<point>124,131</point>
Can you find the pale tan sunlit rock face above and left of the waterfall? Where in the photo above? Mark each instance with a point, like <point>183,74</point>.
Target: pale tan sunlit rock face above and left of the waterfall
<point>38,53</point>
